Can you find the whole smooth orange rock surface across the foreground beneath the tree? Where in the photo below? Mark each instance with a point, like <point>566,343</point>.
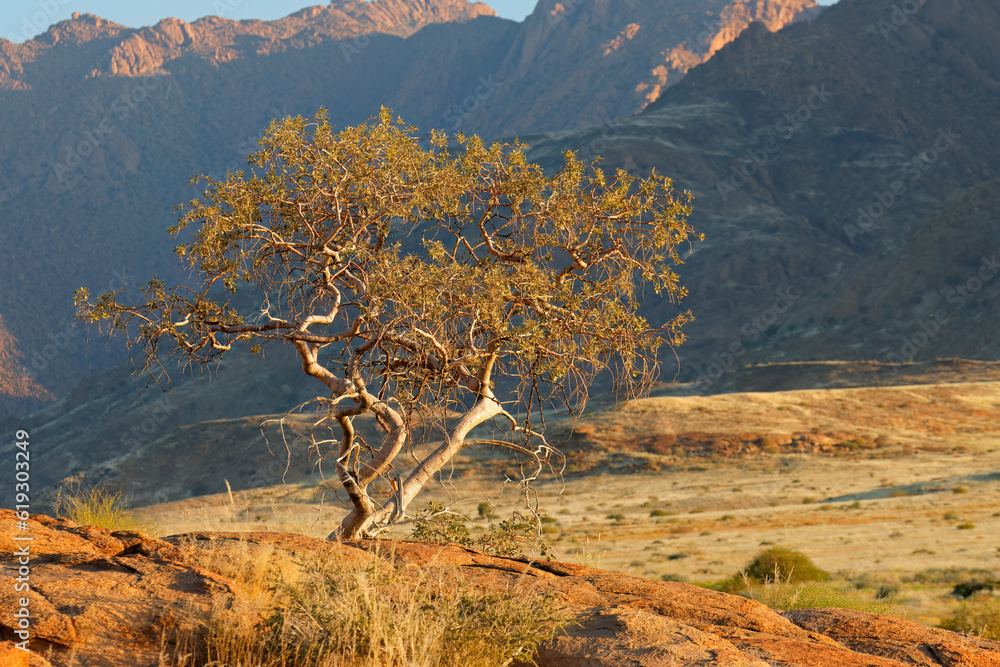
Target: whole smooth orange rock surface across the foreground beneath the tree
<point>108,598</point>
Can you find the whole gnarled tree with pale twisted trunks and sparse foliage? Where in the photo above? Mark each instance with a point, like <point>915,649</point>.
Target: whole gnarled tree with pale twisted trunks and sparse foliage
<point>437,292</point>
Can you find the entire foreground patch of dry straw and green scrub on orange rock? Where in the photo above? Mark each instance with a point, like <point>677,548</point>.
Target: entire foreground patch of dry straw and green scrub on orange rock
<point>327,611</point>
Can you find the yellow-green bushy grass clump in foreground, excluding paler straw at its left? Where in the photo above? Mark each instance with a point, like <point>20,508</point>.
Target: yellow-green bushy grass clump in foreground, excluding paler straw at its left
<point>370,615</point>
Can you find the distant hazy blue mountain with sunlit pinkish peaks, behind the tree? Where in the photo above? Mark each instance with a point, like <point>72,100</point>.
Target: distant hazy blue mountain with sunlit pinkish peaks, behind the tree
<point>104,124</point>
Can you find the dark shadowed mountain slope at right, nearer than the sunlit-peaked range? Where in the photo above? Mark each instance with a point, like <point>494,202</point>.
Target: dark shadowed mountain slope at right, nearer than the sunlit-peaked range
<point>845,175</point>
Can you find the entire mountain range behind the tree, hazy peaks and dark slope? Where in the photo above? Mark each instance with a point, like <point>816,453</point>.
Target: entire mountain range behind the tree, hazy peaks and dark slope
<point>845,173</point>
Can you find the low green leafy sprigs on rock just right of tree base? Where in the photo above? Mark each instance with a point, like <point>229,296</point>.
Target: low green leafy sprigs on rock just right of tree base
<point>435,524</point>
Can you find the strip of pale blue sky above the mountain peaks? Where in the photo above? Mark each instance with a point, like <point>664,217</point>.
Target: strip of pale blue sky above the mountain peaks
<point>23,19</point>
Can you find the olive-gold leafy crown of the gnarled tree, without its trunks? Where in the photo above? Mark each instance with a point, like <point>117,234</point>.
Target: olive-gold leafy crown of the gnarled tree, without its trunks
<point>518,253</point>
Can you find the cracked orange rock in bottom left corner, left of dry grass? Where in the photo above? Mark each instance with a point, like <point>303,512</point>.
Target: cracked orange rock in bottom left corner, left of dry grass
<point>107,597</point>
